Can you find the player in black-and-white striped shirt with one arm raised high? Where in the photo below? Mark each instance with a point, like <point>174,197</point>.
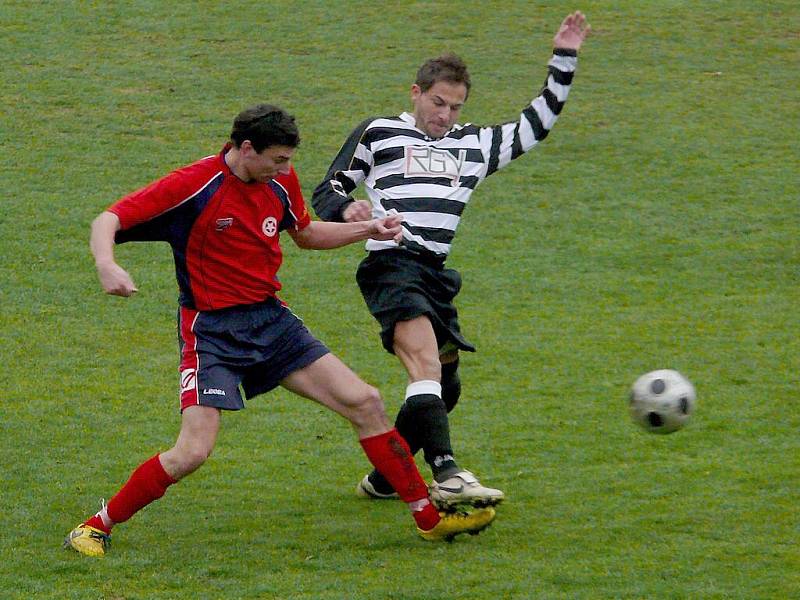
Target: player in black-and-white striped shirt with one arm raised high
<point>425,167</point>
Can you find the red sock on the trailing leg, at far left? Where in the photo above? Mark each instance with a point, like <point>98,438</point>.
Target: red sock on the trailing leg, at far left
<point>147,483</point>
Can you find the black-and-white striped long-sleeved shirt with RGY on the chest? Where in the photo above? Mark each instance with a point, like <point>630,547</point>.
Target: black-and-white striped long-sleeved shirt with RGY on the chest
<point>429,181</point>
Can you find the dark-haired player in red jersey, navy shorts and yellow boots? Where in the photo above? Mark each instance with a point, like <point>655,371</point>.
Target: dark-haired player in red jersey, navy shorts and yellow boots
<point>222,216</point>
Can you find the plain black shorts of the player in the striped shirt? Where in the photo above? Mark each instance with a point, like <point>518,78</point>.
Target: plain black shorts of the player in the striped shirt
<point>399,285</point>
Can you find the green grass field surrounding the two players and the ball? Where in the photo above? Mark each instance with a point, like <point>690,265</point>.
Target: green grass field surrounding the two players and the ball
<point>657,227</point>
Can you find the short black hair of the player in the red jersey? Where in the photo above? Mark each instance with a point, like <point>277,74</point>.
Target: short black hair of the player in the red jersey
<point>265,125</point>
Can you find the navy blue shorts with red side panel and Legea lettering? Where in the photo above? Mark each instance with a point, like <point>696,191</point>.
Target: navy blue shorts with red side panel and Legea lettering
<point>255,346</point>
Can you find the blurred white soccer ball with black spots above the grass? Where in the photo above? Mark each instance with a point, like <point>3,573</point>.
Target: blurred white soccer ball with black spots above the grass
<point>662,401</point>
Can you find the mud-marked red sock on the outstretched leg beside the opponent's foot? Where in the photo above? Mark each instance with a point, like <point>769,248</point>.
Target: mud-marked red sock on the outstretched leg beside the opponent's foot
<point>389,454</point>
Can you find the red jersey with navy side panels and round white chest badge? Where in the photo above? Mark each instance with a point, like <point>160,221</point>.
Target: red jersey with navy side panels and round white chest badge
<point>224,232</point>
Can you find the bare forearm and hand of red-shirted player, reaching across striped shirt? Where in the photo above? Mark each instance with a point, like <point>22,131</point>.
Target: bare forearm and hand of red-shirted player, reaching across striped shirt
<point>322,235</point>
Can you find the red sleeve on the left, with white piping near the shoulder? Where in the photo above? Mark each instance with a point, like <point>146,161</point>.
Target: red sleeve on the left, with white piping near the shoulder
<point>156,198</point>
